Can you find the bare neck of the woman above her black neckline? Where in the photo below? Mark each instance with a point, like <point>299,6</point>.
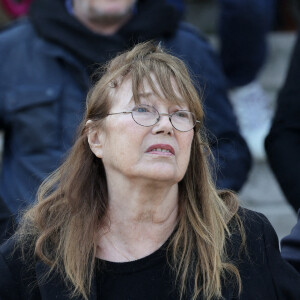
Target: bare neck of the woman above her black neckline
<point>140,219</point>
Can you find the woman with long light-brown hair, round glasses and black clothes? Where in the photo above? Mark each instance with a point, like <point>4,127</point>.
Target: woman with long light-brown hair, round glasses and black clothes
<point>133,212</point>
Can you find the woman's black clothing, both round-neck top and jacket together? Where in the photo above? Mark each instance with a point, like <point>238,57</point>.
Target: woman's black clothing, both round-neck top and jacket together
<point>264,274</point>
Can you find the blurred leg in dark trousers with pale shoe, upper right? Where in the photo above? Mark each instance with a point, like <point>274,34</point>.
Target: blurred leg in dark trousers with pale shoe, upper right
<point>243,26</point>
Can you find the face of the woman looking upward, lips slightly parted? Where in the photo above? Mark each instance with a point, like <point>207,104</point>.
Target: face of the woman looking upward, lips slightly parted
<point>128,150</point>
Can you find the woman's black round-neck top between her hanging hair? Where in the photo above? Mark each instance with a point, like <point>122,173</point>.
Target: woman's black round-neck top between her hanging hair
<point>146,278</point>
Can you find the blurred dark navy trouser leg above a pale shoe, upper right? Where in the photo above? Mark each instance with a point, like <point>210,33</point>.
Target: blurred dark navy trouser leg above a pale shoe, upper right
<point>243,29</point>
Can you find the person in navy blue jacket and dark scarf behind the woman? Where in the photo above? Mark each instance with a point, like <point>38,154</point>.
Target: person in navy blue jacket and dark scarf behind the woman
<point>47,66</point>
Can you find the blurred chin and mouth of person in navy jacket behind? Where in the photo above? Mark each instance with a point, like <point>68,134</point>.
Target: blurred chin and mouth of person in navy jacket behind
<point>105,12</point>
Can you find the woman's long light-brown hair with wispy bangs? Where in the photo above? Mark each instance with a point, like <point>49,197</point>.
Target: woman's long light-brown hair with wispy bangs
<point>72,202</point>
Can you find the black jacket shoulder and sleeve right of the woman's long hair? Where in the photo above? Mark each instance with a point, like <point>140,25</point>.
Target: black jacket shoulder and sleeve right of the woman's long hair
<point>260,263</point>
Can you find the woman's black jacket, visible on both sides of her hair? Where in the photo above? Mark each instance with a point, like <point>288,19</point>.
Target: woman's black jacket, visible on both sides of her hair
<point>264,274</point>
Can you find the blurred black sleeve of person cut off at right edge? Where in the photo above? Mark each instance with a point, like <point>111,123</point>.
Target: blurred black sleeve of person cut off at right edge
<point>283,141</point>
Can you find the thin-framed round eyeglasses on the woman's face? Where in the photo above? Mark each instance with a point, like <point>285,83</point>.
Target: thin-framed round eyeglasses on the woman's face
<point>145,115</point>
